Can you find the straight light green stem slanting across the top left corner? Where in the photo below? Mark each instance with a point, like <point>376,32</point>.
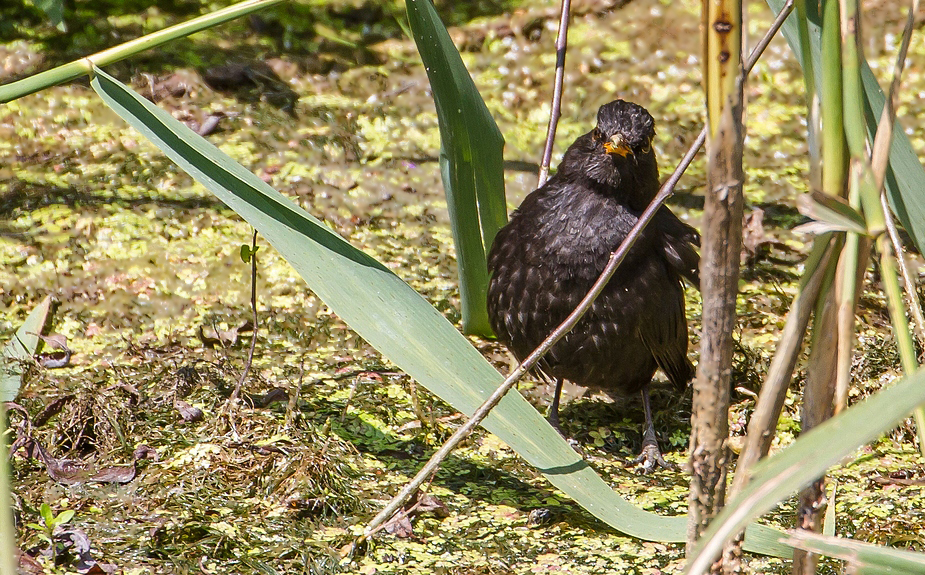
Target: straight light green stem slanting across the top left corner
<point>82,67</point>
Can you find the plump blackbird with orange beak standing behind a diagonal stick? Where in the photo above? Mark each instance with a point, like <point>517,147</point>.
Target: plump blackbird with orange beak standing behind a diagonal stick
<point>558,242</point>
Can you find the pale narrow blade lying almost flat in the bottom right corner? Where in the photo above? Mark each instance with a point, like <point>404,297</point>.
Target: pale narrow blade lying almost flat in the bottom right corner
<point>860,556</point>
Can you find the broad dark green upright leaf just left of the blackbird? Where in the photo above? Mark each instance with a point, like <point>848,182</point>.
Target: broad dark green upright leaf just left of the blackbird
<point>471,161</point>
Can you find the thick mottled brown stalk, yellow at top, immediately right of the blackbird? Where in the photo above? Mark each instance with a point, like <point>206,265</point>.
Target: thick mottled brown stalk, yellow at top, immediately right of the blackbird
<point>722,248</point>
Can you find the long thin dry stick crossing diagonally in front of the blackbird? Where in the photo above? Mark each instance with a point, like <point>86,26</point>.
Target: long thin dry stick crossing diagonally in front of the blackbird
<point>615,259</point>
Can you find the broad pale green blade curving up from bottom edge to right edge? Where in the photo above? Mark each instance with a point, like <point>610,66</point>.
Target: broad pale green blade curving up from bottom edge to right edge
<point>809,457</point>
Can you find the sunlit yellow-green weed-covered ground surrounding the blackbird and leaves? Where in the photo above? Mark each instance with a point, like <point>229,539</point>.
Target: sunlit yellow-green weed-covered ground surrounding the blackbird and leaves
<point>146,264</point>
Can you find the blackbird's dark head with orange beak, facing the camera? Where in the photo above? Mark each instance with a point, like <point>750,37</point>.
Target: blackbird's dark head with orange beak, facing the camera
<point>618,151</point>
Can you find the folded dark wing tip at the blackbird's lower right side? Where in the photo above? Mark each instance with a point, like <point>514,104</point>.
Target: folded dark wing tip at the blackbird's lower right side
<point>664,333</point>
